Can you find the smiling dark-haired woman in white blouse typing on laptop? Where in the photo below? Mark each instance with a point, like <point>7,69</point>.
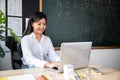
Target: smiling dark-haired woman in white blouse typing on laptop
<point>36,46</point>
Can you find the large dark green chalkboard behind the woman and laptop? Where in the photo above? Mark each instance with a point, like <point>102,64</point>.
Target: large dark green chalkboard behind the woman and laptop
<point>83,20</point>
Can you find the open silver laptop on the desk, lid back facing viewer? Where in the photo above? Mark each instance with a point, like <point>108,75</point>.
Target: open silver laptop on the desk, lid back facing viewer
<point>75,53</point>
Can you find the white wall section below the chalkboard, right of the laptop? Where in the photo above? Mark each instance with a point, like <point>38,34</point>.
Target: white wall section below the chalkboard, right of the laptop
<point>106,57</point>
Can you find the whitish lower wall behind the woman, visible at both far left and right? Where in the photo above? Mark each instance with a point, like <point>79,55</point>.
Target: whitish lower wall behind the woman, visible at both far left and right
<point>103,57</point>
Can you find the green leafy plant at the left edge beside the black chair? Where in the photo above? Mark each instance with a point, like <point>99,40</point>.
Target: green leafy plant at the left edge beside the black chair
<point>3,29</point>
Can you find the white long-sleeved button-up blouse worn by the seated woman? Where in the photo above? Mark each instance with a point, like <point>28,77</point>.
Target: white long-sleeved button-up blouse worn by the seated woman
<point>35,53</point>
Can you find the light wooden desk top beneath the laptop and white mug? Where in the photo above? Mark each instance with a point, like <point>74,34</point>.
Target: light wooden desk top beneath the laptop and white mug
<point>108,74</point>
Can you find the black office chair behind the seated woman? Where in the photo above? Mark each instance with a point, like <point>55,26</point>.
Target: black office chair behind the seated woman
<point>16,53</point>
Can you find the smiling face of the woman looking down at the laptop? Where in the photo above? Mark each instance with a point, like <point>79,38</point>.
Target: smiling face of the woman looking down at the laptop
<point>39,26</point>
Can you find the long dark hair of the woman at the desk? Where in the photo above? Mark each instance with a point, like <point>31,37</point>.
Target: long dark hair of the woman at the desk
<point>36,16</point>
